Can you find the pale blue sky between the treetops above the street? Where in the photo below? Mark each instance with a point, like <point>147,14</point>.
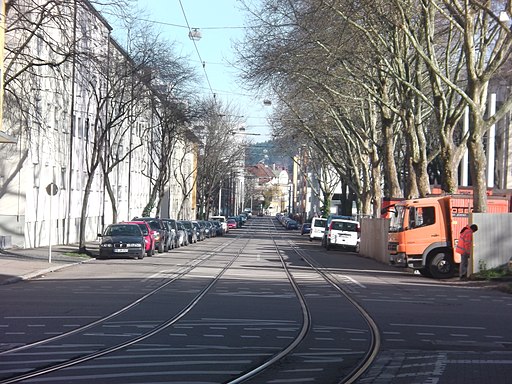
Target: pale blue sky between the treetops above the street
<point>220,22</point>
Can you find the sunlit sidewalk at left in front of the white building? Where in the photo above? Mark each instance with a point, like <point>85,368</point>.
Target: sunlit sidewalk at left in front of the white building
<point>18,264</point>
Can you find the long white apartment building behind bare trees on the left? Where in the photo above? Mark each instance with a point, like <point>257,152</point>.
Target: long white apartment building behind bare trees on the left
<point>62,116</point>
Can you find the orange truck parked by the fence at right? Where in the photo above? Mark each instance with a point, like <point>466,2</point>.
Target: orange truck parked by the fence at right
<point>423,232</point>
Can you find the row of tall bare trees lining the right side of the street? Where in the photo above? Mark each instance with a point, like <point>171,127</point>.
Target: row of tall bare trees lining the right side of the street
<point>379,88</point>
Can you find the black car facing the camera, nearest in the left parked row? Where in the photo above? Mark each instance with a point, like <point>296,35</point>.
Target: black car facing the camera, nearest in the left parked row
<point>122,240</point>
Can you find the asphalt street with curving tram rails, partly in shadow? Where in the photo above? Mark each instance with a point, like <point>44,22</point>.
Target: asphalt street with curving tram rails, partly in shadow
<point>259,305</point>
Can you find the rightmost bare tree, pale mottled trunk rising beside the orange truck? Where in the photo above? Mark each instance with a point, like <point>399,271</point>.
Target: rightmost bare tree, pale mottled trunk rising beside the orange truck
<point>485,45</point>
